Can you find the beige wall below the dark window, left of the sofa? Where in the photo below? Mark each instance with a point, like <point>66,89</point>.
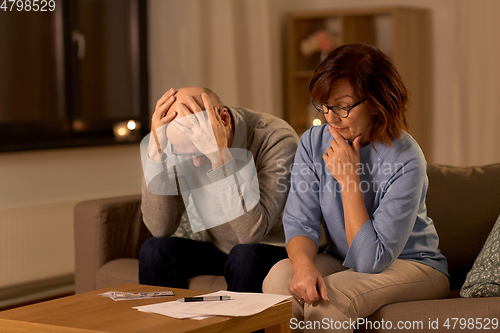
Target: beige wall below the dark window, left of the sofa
<point>38,192</point>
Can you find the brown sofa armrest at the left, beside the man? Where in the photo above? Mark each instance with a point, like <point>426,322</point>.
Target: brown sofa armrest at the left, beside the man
<point>105,229</point>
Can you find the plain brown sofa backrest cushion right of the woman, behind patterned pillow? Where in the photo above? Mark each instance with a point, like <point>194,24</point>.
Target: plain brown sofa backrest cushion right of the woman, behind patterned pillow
<point>463,203</point>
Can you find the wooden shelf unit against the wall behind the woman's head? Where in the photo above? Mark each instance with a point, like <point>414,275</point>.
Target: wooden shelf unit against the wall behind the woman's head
<point>403,33</point>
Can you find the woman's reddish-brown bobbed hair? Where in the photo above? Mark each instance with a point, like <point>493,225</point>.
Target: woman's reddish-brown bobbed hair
<point>371,75</point>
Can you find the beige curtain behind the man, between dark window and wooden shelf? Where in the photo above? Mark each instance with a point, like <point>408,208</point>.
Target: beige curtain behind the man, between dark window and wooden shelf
<point>227,45</point>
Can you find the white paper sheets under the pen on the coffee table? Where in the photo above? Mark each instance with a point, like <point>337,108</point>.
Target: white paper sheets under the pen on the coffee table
<point>240,304</point>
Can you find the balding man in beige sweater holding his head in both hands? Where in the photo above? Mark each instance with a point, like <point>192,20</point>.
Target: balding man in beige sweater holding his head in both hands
<point>227,166</point>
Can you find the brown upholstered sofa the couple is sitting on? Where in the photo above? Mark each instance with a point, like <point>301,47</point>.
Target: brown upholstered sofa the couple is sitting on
<point>464,203</point>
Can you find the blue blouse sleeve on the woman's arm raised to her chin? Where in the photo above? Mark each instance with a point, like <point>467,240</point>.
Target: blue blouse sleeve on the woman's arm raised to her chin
<point>383,237</point>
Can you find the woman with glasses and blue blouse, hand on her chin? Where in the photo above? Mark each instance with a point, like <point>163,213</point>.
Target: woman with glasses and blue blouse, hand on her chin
<point>365,176</point>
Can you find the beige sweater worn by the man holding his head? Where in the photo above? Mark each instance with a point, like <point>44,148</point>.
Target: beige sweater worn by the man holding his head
<point>272,143</point>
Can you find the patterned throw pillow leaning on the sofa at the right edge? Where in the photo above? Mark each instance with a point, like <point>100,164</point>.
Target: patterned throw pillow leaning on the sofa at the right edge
<point>483,279</point>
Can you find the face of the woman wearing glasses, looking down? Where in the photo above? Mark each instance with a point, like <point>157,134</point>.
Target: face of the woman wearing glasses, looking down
<point>359,120</point>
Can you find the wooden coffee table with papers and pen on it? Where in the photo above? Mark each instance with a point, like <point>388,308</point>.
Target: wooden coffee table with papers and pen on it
<point>89,312</point>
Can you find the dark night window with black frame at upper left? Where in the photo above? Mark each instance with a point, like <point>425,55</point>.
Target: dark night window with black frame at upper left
<point>68,77</point>
